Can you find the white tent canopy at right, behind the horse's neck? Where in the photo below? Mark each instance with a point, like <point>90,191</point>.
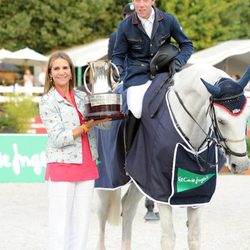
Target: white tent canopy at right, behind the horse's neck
<point>232,56</point>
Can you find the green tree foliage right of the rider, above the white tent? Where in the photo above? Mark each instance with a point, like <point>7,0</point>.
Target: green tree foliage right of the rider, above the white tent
<point>207,22</point>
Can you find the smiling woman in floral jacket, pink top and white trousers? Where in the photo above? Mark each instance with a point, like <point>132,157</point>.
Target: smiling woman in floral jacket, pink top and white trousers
<point>71,153</point>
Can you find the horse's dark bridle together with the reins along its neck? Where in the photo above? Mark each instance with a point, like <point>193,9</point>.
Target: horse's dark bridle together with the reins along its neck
<point>221,141</point>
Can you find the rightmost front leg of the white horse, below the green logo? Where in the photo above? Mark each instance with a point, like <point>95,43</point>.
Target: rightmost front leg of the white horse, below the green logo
<point>193,223</point>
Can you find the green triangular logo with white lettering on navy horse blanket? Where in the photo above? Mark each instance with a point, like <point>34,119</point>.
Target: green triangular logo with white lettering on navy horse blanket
<point>188,180</point>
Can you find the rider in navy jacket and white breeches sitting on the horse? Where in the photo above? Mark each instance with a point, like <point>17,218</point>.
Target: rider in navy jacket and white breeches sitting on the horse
<point>139,37</point>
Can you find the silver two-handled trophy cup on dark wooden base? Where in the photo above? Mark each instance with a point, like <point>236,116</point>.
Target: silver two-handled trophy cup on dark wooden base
<point>101,102</point>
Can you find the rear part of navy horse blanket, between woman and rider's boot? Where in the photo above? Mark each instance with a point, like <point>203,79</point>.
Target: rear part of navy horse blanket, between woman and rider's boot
<point>110,145</point>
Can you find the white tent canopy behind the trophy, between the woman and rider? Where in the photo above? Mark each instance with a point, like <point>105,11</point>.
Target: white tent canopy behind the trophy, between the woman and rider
<point>81,55</point>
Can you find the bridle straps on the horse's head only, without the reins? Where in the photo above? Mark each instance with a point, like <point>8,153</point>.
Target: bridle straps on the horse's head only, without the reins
<point>221,139</point>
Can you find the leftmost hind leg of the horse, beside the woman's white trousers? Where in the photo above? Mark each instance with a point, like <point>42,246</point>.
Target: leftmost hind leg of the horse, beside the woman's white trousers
<point>102,213</point>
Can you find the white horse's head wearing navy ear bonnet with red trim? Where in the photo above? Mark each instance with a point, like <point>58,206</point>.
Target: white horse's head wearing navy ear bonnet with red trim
<point>229,113</point>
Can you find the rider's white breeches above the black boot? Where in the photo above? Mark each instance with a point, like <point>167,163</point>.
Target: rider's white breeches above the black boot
<point>135,96</point>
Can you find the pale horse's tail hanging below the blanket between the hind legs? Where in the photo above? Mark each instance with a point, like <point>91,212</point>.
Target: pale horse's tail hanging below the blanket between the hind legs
<point>114,213</point>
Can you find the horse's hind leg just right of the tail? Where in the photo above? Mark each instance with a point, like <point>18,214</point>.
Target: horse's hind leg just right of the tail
<point>129,206</point>
